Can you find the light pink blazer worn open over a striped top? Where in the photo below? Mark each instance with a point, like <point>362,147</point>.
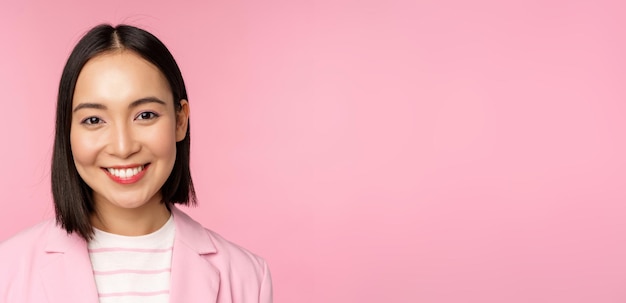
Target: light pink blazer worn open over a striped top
<point>44,264</point>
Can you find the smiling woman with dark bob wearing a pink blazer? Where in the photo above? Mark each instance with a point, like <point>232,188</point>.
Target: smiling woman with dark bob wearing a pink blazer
<point>120,165</point>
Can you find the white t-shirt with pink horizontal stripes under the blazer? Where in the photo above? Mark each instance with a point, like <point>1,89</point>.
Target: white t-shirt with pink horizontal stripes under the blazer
<point>133,269</point>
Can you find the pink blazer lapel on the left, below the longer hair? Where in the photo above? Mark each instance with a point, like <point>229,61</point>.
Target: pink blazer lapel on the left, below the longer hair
<point>68,277</point>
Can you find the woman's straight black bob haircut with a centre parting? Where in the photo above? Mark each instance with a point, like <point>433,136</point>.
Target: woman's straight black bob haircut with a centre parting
<point>73,199</point>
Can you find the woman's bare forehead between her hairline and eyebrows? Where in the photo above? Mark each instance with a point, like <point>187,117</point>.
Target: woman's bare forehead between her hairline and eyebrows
<point>120,76</point>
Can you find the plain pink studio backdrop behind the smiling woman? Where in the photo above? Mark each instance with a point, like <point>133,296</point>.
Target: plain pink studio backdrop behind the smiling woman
<point>373,151</point>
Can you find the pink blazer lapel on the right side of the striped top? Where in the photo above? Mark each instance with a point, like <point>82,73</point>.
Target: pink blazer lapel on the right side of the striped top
<point>193,278</point>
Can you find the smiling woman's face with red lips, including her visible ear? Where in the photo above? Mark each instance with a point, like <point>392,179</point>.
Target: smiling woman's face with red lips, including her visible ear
<point>124,130</point>
